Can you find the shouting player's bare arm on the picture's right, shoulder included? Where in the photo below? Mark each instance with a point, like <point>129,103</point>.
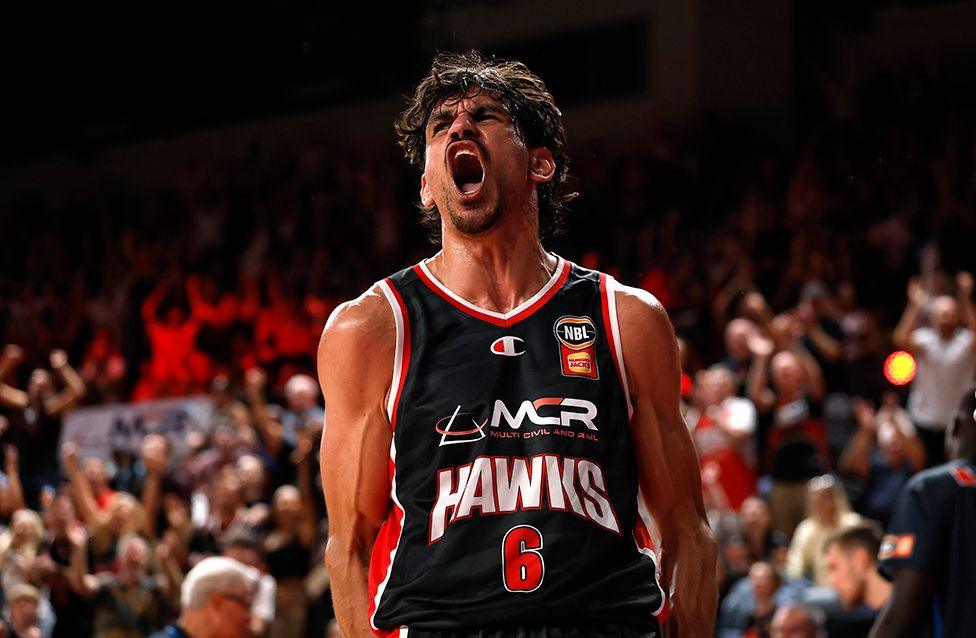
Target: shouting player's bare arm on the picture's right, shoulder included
<point>667,462</point>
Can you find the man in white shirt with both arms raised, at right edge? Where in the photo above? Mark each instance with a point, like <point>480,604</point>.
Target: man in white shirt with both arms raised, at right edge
<point>945,354</point>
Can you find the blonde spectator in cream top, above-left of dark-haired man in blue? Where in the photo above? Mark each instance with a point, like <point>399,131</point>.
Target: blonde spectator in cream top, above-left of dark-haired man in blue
<point>828,513</point>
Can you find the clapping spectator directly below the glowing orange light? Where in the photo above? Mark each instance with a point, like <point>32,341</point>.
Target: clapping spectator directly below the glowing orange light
<point>883,454</point>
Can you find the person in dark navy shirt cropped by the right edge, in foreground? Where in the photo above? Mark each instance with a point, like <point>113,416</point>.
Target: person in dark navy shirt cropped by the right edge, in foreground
<point>929,551</point>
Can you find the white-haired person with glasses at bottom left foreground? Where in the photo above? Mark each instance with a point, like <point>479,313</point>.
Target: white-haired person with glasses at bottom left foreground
<point>216,598</point>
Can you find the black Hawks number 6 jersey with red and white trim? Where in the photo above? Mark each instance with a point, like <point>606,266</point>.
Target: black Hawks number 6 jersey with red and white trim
<point>512,471</point>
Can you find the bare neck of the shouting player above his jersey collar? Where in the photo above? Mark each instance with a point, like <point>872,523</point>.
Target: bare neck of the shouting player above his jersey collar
<point>497,272</point>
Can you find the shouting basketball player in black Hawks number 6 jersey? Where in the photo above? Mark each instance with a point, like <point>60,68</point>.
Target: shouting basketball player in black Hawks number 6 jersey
<point>502,428</point>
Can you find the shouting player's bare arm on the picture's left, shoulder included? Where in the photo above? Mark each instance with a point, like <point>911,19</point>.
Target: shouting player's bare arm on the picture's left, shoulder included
<point>355,364</point>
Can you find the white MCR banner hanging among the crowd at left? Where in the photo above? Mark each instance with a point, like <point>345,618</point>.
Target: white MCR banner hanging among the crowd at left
<point>100,430</point>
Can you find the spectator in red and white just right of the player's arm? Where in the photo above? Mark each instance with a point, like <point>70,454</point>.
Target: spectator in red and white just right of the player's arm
<point>723,426</point>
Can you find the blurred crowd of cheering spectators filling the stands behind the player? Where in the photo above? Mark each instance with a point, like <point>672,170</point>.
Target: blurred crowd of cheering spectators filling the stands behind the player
<point>789,281</point>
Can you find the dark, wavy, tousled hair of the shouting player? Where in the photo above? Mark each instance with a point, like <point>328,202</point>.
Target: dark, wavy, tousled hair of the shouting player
<point>532,108</point>
